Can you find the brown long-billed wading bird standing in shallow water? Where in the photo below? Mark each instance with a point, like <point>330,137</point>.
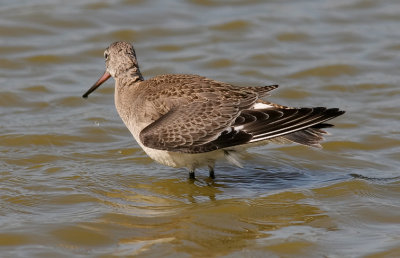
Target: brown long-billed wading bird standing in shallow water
<point>190,121</point>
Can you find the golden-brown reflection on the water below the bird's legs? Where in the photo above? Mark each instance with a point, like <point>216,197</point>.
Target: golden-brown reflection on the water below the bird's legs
<point>202,226</point>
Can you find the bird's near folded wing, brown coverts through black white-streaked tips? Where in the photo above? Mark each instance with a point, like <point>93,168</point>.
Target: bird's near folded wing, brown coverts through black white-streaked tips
<point>201,127</point>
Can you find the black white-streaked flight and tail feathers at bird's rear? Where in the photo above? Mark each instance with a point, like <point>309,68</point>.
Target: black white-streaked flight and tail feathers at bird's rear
<point>299,125</point>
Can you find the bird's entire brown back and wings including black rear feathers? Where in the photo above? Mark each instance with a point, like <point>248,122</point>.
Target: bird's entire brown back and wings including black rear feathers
<point>203,115</point>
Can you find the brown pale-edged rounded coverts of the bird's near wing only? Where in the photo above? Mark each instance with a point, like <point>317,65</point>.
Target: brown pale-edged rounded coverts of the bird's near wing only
<point>185,128</point>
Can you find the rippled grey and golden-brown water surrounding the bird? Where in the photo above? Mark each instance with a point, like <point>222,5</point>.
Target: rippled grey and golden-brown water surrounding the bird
<point>74,182</point>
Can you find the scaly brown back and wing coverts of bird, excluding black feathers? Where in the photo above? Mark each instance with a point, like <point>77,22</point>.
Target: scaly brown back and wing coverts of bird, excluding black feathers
<point>196,112</point>
